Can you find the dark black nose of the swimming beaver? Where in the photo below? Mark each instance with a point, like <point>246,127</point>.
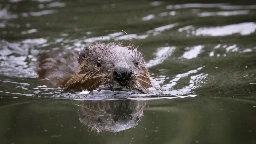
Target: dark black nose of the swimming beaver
<point>122,75</point>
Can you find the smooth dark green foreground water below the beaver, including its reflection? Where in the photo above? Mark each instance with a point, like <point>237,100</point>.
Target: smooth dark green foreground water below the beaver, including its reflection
<point>204,120</point>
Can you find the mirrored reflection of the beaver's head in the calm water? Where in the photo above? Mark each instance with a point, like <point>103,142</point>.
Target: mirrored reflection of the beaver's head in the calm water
<point>111,115</point>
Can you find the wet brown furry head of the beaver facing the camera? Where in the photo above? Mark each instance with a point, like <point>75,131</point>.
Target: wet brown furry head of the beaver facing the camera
<point>110,66</point>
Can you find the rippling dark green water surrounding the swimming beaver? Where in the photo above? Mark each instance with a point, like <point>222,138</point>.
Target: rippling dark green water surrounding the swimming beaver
<point>201,55</point>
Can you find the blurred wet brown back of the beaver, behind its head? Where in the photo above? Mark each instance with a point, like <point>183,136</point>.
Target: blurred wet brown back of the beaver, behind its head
<point>57,66</point>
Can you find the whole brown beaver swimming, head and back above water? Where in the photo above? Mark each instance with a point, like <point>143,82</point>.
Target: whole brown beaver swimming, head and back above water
<point>99,66</point>
